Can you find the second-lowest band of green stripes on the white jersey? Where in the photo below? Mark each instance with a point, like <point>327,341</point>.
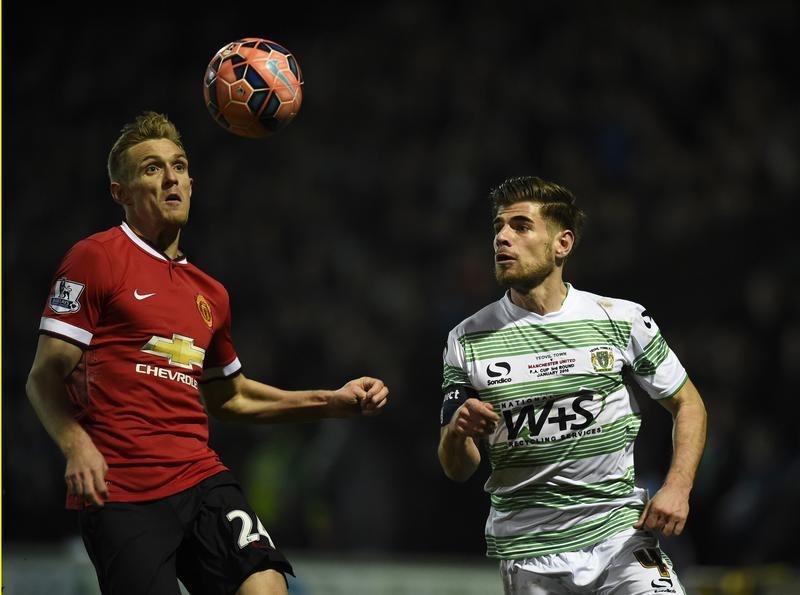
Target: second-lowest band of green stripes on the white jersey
<point>548,496</point>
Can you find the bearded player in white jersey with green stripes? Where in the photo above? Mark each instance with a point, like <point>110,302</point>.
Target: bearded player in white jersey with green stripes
<point>539,382</point>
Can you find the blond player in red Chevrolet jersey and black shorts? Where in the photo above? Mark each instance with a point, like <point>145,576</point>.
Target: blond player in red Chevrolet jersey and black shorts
<point>134,349</point>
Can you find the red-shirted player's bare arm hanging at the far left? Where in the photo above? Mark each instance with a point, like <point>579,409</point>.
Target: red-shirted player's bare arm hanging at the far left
<point>86,468</point>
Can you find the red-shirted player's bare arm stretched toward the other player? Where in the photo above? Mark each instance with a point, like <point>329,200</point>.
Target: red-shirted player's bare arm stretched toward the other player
<point>242,399</point>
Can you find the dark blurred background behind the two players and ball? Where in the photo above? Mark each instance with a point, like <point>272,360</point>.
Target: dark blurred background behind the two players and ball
<point>355,238</point>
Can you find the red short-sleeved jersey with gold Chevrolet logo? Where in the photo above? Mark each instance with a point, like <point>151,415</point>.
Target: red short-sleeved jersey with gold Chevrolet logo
<point>150,328</point>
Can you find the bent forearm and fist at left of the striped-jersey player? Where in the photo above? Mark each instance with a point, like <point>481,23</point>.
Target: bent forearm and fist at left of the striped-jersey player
<point>459,454</point>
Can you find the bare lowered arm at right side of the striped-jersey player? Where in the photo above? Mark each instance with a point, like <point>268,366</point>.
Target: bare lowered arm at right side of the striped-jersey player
<point>668,509</point>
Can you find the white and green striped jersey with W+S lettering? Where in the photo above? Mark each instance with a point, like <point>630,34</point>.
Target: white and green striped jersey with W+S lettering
<point>562,473</point>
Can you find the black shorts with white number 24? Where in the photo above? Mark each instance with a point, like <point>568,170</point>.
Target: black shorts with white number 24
<point>207,536</point>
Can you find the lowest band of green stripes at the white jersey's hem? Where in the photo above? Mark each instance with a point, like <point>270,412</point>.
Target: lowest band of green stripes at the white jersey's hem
<point>539,543</point>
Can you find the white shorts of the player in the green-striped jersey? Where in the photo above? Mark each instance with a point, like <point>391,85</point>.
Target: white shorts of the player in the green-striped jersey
<point>629,563</point>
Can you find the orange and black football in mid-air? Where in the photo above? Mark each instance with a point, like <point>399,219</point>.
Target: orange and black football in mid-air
<point>253,87</point>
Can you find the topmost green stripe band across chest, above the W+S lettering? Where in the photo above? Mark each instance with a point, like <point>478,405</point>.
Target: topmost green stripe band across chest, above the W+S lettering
<point>521,340</point>
